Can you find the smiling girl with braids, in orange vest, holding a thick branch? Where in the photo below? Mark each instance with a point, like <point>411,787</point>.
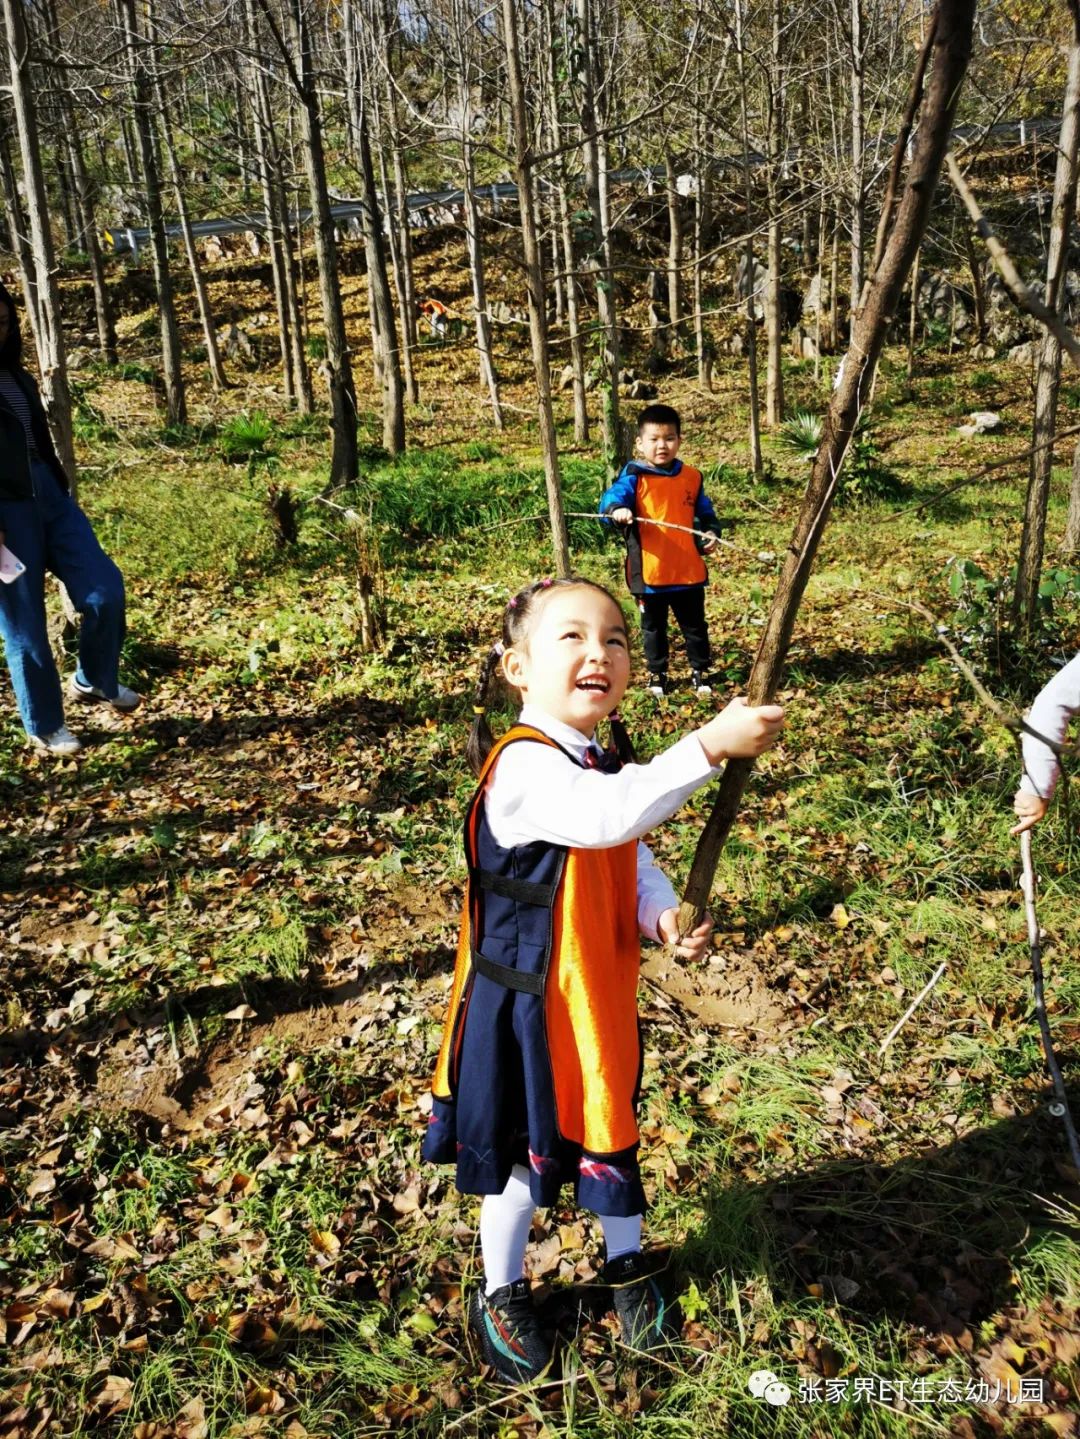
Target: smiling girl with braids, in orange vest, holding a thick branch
<point>540,1067</point>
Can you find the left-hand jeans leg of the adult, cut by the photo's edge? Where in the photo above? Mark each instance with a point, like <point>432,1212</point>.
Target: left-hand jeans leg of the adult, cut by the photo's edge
<point>24,622</point>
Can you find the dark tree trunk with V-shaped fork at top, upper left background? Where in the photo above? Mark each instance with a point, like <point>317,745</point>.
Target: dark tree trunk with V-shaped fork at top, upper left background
<point>298,58</point>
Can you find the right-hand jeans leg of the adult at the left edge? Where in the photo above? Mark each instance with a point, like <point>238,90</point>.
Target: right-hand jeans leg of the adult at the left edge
<point>94,585</point>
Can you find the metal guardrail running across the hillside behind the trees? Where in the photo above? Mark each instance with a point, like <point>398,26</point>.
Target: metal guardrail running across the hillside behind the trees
<point>133,240</point>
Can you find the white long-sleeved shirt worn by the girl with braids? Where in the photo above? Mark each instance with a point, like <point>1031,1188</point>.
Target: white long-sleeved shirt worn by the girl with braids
<point>537,794</point>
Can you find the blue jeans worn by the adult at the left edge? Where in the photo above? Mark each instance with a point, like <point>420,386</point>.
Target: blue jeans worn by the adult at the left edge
<point>50,533</point>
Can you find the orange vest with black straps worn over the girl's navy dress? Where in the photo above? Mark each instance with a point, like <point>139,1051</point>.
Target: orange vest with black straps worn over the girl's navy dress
<point>587,981</point>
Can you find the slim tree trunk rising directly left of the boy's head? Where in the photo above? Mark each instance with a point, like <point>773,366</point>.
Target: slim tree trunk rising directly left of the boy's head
<point>600,261</point>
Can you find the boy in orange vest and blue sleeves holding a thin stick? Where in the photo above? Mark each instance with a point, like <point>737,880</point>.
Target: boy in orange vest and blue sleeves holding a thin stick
<point>665,568</point>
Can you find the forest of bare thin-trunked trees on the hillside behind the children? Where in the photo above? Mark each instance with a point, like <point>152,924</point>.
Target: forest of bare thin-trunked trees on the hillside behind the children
<point>690,179</point>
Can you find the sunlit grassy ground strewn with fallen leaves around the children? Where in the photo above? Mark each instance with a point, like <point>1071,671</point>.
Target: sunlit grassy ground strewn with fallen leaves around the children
<point>229,933</point>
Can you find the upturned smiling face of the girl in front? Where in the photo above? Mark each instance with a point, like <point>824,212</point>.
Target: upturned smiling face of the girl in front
<point>576,660</point>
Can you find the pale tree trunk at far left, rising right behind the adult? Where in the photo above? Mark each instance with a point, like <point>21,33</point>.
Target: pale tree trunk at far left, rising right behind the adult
<point>52,359</point>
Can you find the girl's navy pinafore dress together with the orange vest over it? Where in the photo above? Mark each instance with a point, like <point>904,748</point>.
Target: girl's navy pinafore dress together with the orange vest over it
<point>541,1057</point>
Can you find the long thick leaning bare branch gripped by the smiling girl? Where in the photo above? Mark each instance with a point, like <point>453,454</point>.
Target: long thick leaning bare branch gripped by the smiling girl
<point>951,54</point>
